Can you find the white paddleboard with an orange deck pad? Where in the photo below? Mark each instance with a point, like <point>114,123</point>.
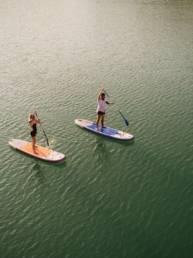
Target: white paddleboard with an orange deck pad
<point>42,153</point>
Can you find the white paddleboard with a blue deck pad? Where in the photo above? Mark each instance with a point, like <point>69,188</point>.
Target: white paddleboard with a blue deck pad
<point>106,131</point>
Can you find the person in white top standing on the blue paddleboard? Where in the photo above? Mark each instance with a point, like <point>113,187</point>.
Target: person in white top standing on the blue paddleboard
<point>101,105</point>
